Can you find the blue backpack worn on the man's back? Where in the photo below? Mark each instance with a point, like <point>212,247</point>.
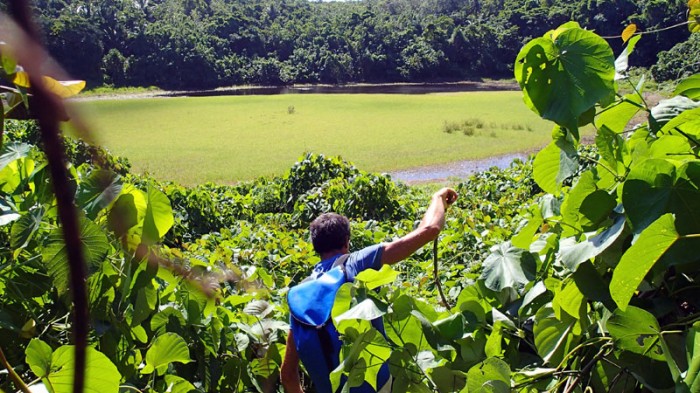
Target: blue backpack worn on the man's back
<point>316,339</point>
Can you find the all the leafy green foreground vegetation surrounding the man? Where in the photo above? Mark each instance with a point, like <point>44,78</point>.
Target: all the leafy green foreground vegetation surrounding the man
<point>576,271</point>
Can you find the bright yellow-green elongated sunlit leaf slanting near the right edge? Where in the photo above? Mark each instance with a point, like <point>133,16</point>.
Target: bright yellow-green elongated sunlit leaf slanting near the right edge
<point>651,245</point>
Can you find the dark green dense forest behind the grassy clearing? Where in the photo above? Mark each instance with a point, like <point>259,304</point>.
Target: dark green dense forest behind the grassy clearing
<point>194,44</point>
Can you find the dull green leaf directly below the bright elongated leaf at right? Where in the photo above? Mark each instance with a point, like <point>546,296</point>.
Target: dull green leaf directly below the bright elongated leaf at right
<point>637,331</point>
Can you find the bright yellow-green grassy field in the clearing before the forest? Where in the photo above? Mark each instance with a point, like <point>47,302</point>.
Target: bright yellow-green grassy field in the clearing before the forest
<point>228,139</point>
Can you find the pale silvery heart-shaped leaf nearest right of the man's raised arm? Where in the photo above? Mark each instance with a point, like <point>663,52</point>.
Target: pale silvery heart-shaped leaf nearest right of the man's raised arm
<point>508,267</point>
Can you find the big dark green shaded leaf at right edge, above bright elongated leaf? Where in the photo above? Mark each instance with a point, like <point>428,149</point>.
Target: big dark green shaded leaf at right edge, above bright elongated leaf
<point>655,187</point>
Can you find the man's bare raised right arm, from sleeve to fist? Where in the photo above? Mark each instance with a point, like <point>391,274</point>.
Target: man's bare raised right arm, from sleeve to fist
<point>429,228</point>
